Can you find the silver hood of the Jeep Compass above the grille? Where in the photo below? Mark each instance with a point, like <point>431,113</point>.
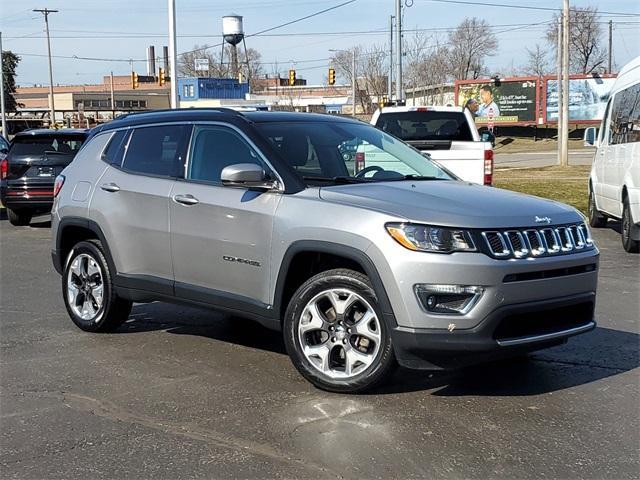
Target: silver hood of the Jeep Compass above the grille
<point>452,203</point>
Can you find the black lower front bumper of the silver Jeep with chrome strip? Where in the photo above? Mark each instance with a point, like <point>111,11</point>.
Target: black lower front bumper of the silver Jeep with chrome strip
<point>506,331</point>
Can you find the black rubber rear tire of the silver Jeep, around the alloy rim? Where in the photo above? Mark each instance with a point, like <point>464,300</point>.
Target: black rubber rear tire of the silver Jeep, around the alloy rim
<point>114,310</point>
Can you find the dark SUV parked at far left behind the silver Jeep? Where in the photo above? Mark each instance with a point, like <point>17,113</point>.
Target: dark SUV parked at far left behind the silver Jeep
<point>28,171</point>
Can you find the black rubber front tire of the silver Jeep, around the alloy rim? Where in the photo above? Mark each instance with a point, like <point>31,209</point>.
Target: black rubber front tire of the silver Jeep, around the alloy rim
<point>384,361</point>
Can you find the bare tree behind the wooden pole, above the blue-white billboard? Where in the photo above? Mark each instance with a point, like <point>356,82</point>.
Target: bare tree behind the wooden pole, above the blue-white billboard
<point>586,52</point>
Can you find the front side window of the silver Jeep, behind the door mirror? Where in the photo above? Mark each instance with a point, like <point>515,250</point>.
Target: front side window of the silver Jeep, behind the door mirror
<point>215,148</point>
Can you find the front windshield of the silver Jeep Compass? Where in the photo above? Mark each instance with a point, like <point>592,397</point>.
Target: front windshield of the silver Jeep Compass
<point>355,152</point>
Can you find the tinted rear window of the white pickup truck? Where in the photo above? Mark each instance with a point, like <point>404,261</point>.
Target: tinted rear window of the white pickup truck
<point>427,125</point>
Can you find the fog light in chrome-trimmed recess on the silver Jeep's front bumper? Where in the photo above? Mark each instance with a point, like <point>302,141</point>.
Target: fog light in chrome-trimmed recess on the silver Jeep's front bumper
<point>448,299</point>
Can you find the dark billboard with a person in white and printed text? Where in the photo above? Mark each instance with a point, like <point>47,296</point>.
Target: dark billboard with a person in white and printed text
<point>505,102</point>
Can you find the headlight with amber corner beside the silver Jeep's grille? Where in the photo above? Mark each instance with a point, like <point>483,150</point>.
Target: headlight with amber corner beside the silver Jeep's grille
<point>427,238</point>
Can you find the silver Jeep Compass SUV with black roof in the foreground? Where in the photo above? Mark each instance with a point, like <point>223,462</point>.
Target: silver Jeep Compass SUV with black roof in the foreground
<point>363,261</point>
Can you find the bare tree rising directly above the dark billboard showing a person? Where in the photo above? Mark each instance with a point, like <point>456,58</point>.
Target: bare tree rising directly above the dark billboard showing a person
<point>470,43</point>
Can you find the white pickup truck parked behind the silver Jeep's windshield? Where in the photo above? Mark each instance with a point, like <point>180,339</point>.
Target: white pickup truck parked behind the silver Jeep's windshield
<point>448,134</point>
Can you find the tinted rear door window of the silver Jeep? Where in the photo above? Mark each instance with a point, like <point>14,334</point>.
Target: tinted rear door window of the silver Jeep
<point>157,150</point>
